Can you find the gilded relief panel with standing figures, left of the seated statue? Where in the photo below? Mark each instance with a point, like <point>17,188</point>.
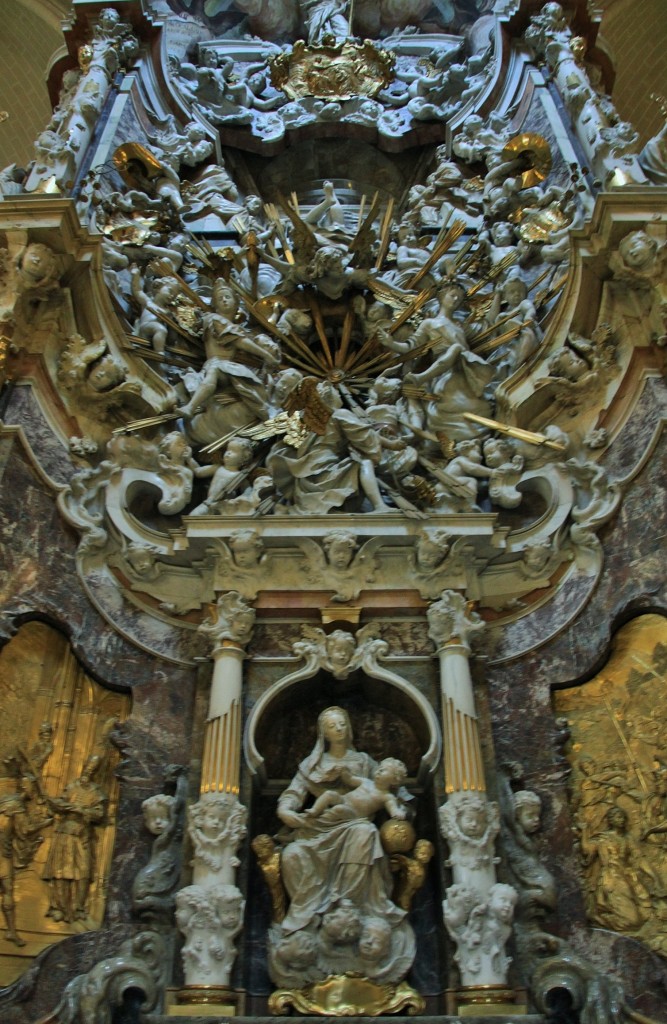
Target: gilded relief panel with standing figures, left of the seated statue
<point>59,795</point>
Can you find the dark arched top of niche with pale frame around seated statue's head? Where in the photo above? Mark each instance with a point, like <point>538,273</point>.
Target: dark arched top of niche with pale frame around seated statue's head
<point>391,718</point>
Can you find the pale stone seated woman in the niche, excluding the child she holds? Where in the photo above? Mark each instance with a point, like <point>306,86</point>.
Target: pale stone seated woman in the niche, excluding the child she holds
<point>335,869</point>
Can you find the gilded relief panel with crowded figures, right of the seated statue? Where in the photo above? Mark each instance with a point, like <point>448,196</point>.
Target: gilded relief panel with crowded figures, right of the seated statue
<point>618,753</point>
